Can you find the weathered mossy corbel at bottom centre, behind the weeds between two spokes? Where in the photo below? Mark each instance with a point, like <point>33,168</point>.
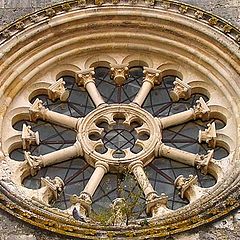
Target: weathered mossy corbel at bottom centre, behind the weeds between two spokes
<point>119,214</point>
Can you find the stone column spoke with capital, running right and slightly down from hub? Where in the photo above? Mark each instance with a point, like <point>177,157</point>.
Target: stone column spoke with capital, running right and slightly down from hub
<point>199,161</point>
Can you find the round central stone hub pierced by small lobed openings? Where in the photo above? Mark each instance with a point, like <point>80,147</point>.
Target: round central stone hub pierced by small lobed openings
<point>119,135</point>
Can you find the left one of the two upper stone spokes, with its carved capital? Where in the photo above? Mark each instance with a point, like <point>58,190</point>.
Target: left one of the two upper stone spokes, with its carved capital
<point>87,80</point>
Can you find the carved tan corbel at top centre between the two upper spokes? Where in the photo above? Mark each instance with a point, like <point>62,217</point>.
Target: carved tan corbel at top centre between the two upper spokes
<point>119,73</point>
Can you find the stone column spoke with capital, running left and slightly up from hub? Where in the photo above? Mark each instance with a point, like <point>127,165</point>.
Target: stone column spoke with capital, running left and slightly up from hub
<point>38,111</point>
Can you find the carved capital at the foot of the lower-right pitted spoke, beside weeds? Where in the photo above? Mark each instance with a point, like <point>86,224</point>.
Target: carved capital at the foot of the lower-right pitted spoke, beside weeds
<point>157,205</point>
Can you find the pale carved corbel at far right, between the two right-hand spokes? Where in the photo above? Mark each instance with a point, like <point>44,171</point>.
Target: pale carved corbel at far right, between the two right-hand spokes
<point>208,135</point>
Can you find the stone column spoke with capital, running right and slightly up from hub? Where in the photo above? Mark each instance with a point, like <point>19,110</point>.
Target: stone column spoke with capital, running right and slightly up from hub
<point>199,111</point>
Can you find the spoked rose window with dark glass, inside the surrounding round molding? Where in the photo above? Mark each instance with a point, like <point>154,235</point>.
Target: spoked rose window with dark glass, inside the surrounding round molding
<point>115,142</point>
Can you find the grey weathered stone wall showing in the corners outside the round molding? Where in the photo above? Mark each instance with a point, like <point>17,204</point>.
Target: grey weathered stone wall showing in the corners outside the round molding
<point>225,229</point>
